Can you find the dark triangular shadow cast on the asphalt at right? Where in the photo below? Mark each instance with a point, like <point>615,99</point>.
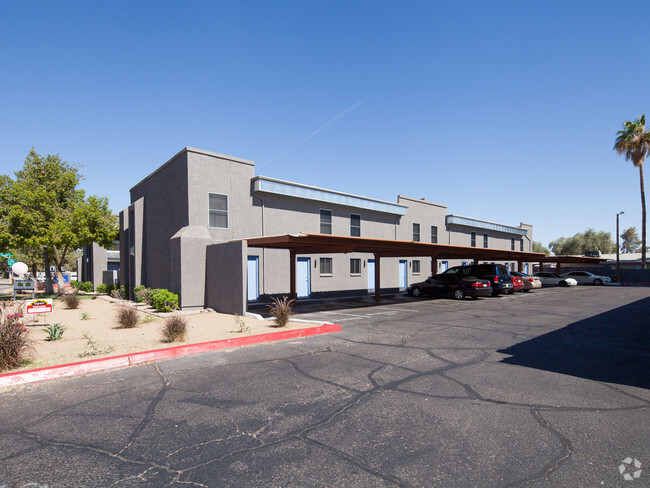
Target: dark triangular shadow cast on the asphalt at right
<point>613,347</point>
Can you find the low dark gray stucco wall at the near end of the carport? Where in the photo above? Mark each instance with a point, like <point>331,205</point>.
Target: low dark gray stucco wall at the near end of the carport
<point>225,277</point>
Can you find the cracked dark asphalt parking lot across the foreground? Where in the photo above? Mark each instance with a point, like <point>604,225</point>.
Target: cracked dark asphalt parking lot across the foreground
<point>545,389</point>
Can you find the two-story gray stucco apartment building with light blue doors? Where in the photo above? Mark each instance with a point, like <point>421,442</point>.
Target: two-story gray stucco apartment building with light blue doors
<point>173,234</point>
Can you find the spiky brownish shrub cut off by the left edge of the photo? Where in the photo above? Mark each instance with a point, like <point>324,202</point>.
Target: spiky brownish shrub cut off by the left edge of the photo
<point>14,342</point>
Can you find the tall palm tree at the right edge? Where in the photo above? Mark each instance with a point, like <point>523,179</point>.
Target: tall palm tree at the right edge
<point>634,143</point>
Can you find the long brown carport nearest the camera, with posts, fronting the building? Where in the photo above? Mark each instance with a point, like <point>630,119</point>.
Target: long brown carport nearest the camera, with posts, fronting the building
<point>298,244</point>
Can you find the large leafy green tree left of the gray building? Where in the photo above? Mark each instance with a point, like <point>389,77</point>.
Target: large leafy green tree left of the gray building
<point>42,207</point>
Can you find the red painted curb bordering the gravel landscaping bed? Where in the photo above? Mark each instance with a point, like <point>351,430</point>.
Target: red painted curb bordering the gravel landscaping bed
<point>125,360</point>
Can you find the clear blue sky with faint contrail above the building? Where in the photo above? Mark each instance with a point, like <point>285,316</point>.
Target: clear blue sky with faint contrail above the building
<point>503,111</point>
